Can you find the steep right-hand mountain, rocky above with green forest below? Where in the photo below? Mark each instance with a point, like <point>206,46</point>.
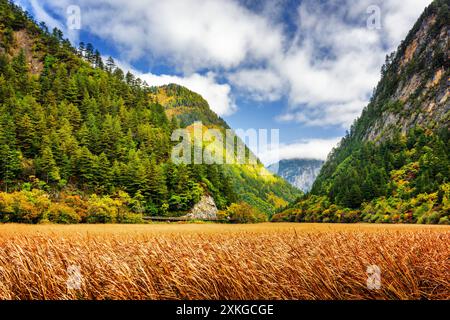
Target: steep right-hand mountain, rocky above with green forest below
<point>393,165</point>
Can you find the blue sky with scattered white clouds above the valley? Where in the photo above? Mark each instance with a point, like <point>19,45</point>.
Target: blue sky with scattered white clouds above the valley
<point>306,67</point>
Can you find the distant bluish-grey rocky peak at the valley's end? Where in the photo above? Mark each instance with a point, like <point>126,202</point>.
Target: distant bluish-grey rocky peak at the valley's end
<point>301,173</point>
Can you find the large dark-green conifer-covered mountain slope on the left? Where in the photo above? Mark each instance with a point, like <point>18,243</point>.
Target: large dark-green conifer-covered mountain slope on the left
<point>75,127</point>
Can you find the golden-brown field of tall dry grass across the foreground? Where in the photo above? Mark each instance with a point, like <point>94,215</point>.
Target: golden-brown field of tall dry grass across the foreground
<point>217,261</point>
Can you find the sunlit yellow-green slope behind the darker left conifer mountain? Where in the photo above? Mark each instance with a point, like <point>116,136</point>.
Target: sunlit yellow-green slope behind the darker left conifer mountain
<point>252,183</point>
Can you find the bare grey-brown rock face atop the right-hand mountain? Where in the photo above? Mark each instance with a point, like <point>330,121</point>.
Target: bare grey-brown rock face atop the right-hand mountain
<point>415,85</point>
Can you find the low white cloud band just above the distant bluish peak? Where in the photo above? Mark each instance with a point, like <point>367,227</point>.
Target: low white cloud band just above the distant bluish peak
<point>304,149</point>
